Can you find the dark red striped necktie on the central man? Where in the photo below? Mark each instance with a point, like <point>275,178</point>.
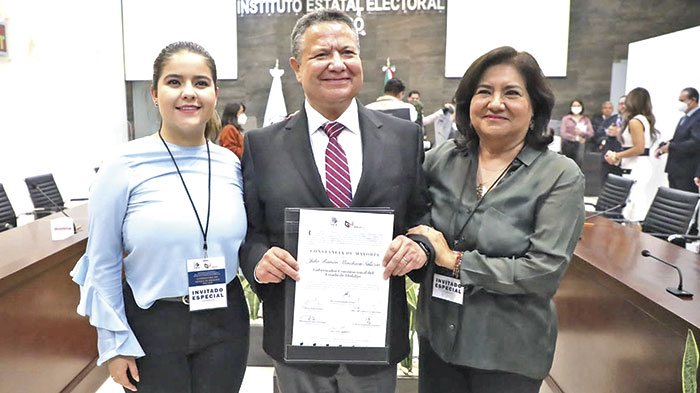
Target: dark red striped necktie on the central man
<point>337,171</point>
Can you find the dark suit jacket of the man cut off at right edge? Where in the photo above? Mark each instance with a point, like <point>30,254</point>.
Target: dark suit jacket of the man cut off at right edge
<point>684,149</point>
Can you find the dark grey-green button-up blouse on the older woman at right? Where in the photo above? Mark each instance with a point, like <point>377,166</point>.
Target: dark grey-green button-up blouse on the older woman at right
<point>516,246</point>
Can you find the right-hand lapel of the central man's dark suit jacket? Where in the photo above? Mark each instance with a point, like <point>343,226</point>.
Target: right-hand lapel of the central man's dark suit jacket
<point>373,141</point>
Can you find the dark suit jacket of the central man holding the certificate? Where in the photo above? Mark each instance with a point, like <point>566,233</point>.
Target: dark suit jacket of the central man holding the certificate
<point>279,171</point>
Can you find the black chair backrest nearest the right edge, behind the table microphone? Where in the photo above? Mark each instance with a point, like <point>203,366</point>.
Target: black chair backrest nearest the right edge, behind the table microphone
<point>671,212</point>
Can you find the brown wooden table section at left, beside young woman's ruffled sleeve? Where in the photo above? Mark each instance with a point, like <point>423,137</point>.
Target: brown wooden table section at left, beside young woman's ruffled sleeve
<point>45,346</point>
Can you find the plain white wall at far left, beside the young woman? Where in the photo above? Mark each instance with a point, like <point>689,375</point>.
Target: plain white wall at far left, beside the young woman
<point>62,91</point>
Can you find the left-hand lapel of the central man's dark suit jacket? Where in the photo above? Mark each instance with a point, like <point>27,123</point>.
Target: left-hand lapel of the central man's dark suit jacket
<point>299,148</point>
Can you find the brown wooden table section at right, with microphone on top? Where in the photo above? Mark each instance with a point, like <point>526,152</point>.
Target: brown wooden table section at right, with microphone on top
<point>619,329</point>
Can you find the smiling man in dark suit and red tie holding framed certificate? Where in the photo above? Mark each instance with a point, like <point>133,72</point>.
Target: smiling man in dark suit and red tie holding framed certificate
<point>293,164</point>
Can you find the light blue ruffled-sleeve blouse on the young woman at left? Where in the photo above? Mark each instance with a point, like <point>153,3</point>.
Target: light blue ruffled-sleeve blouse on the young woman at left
<point>139,208</point>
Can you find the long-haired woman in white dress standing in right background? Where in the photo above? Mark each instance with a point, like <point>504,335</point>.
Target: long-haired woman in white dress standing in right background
<point>638,136</point>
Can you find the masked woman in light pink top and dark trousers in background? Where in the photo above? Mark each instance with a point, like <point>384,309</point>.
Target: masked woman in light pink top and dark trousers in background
<point>576,128</point>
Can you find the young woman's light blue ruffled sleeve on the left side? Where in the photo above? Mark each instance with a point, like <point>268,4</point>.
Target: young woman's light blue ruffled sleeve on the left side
<point>99,271</point>
